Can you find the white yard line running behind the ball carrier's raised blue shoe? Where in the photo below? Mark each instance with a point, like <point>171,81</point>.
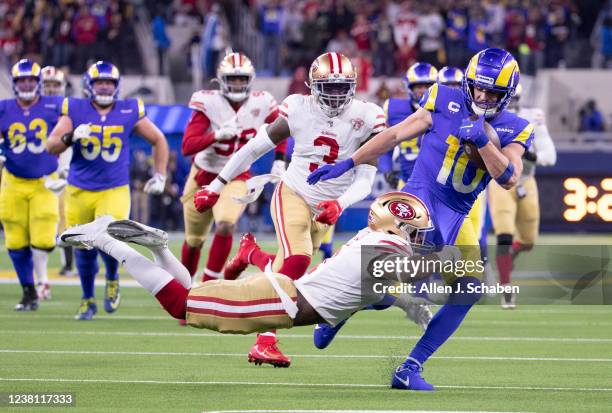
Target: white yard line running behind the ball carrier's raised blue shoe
<point>309,336</point>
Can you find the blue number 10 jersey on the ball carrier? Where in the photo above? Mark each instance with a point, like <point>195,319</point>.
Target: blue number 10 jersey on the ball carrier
<point>442,164</point>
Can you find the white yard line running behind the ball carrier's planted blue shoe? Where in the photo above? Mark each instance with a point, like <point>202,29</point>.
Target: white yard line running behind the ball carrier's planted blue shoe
<point>293,384</point>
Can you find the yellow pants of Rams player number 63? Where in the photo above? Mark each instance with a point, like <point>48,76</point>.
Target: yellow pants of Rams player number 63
<point>29,212</point>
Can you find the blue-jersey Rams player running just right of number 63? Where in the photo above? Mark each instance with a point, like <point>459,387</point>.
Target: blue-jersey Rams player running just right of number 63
<point>99,128</point>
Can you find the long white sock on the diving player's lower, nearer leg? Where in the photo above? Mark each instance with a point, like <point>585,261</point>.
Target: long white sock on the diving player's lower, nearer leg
<point>145,272</point>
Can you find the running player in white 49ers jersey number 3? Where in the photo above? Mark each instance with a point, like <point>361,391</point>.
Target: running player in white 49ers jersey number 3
<point>328,126</point>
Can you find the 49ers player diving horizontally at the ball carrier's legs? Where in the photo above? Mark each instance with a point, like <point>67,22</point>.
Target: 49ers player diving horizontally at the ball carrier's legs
<point>330,293</point>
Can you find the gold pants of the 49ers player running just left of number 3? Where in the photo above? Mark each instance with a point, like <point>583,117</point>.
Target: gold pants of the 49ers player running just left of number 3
<point>197,226</point>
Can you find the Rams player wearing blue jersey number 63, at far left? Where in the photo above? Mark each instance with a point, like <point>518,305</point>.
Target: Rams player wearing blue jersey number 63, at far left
<point>28,210</point>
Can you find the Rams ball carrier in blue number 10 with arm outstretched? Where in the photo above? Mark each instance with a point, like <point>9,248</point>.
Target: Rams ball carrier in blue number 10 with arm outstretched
<point>448,182</point>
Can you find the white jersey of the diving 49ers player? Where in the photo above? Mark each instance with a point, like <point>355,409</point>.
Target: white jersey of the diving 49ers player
<point>336,288</point>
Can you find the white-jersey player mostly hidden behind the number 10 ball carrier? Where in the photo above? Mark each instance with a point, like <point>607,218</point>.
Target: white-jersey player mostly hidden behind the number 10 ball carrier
<point>516,213</point>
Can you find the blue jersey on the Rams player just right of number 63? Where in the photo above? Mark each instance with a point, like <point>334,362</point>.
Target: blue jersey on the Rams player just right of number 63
<point>102,161</point>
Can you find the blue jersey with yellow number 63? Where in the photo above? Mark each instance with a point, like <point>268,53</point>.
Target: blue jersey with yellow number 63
<point>25,134</point>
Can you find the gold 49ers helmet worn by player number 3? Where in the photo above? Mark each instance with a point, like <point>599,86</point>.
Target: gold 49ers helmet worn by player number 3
<point>332,82</point>
